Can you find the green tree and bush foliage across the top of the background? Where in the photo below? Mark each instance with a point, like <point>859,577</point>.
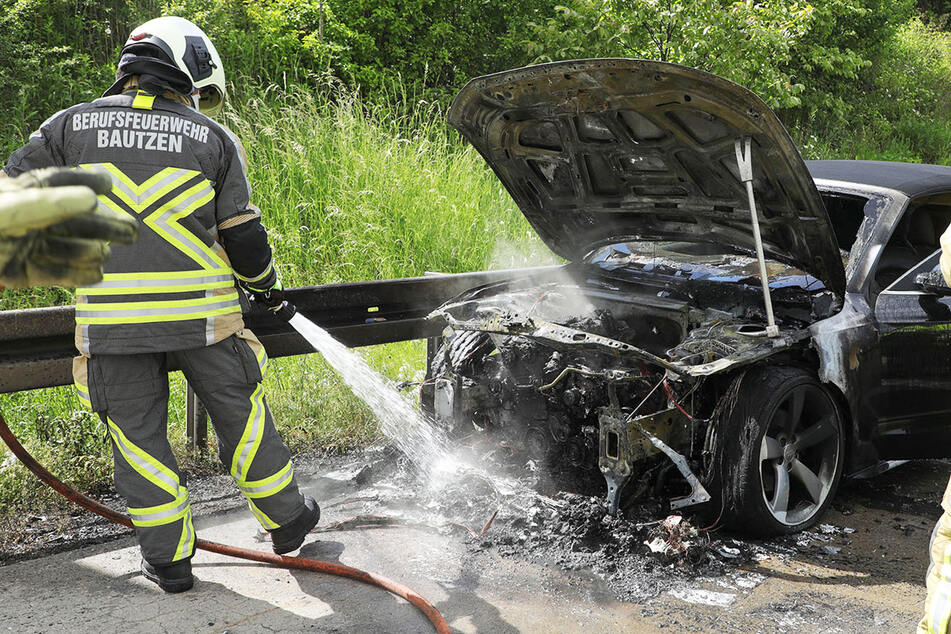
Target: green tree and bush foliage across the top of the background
<point>855,64</point>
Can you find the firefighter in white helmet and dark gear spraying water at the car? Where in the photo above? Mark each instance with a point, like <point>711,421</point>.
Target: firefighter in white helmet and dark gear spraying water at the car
<point>172,300</point>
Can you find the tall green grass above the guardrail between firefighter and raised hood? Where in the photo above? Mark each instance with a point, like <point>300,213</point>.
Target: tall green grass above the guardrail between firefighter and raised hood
<point>352,192</point>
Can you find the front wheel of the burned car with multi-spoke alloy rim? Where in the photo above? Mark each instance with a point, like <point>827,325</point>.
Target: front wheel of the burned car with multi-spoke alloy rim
<point>780,451</point>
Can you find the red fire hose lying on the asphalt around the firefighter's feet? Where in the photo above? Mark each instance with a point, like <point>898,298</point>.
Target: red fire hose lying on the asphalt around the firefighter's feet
<point>299,563</point>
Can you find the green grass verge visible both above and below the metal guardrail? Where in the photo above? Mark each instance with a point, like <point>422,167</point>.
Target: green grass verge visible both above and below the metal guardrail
<point>348,193</point>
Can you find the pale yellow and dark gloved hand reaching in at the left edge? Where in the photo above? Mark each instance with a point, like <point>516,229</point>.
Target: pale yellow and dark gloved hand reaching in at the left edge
<point>51,230</point>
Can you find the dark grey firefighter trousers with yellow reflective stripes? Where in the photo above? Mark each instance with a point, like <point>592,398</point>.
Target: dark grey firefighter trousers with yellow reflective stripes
<point>130,394</point>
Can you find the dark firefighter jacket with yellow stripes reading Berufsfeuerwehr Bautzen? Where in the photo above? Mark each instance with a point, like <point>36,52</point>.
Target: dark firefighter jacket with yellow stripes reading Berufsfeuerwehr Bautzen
<point>183,177</point>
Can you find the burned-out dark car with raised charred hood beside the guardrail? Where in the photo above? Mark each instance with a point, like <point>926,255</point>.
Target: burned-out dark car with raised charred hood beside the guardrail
<point>730,317</point>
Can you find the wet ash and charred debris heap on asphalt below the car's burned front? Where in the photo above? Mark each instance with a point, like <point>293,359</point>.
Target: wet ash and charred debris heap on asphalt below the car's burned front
<point>639,554</point>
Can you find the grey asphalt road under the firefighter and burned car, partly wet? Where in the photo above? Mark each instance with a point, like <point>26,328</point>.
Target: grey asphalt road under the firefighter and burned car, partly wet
<point>862,571</point>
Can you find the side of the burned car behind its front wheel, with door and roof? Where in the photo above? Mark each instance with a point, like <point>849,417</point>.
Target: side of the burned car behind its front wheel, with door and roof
<point>888,349</point>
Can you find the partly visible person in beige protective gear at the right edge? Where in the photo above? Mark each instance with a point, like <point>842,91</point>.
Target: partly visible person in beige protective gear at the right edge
<point>938,578</point>
